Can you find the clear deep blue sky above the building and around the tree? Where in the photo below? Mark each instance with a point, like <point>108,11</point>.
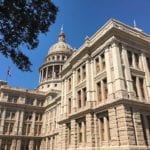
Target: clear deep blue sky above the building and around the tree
<point>80,18</point>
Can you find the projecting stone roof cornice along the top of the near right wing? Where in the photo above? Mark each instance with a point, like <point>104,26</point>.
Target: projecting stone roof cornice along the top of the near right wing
<point>114,27</point>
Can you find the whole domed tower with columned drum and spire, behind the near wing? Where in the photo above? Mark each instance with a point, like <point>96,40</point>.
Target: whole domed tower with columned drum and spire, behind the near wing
<point>50,77</point>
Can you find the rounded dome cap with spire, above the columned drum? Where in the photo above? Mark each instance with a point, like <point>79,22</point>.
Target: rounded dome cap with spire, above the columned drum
<point>61,45</point>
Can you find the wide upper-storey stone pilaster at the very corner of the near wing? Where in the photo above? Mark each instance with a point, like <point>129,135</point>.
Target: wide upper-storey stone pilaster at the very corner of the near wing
<point>118,74</point>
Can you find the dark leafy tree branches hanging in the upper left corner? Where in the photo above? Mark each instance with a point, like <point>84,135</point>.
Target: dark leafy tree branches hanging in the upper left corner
<point>21,21</point>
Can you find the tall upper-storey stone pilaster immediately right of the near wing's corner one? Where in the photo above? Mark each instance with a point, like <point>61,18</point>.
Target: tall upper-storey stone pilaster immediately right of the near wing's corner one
<point>127,73</point>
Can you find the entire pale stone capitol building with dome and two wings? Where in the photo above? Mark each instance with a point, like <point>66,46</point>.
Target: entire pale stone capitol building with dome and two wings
<point>93,98</point>
